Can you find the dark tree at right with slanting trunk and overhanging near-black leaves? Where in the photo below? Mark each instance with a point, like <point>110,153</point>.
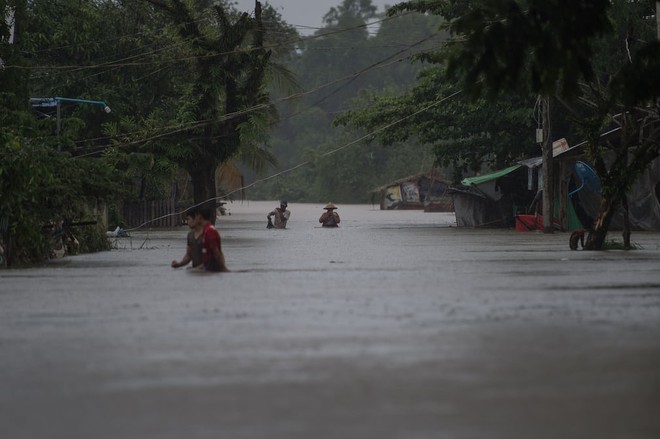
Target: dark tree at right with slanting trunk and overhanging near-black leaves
<point>542,47</point>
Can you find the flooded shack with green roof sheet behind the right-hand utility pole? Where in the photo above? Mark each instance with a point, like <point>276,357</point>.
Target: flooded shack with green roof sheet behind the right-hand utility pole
<point>510,197</point>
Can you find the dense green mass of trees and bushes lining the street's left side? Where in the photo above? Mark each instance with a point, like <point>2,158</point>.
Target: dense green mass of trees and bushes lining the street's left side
<point>177,86</point>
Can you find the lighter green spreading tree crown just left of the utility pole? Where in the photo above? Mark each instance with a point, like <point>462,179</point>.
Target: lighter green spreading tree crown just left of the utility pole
<point>465,134</point>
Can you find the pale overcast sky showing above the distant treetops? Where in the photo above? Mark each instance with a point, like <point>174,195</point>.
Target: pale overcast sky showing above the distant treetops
<point>306,15</point>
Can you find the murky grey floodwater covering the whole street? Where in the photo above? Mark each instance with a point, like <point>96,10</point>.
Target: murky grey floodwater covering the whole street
<point>395,325</point>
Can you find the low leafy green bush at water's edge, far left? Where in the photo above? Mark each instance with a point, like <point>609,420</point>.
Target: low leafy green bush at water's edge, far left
<point>40,187</point>
